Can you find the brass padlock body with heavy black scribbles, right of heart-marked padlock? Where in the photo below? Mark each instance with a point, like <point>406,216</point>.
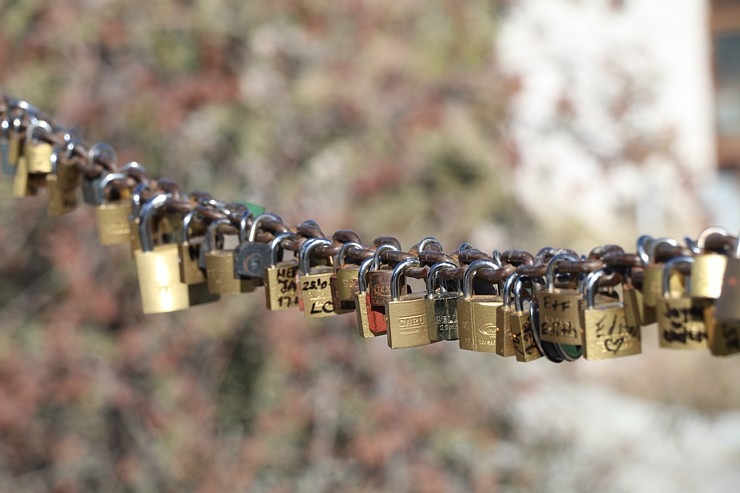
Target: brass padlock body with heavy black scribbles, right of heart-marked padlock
<point>680,324</point>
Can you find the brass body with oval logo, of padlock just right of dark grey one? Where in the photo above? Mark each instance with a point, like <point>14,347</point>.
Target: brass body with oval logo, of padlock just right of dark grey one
<point>476,321</point>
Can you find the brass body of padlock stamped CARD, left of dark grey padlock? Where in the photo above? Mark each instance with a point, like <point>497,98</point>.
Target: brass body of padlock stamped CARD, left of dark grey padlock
<point>407,322</point>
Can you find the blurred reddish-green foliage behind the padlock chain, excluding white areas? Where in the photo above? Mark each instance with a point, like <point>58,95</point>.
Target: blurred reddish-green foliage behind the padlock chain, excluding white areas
<point>379,116</point>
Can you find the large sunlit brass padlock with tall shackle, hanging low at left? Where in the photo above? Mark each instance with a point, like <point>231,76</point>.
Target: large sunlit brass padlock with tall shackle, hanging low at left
<point>158,267</point>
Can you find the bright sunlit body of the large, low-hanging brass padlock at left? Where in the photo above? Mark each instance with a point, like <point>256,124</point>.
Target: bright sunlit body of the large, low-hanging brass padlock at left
<point>159,280</point>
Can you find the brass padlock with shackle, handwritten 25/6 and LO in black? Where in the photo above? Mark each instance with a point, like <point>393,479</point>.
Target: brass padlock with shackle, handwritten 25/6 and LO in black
<point>314,282</point>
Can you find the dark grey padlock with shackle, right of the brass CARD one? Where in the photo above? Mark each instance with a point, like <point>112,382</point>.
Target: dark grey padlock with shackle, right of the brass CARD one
<point>441,307</point>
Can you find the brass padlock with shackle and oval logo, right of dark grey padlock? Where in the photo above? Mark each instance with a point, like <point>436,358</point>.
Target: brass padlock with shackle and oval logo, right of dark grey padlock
<point>476,314</point>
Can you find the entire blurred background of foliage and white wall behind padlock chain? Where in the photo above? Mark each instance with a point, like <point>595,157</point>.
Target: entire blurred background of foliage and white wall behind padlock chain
<point>509,124</point>
